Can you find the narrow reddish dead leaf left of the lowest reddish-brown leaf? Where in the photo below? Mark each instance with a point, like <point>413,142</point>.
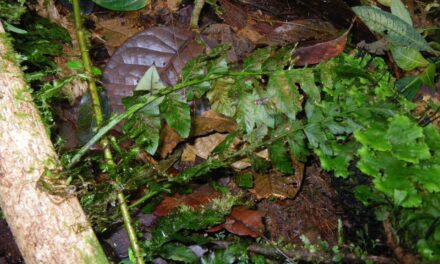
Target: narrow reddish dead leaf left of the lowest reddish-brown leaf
<point>201,196</point>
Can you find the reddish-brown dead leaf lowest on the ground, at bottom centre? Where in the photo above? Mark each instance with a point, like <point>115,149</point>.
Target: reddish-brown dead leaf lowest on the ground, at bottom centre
<point>242,222</point>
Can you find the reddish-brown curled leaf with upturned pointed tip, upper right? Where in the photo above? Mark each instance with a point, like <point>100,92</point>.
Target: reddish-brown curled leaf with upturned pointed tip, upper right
<point>319,52</point>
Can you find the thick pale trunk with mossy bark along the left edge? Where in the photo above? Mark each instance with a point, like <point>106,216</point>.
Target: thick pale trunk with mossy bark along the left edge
<point>48,228</point>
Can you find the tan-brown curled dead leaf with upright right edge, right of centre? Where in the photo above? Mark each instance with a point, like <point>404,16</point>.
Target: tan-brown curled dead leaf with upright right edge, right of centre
<point>279,186</point>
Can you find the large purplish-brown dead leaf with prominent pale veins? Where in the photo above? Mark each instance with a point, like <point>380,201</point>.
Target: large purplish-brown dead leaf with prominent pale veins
<point>168,48</point>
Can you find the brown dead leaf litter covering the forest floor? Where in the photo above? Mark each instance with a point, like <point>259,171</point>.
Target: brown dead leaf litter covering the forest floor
<point>286,206</point>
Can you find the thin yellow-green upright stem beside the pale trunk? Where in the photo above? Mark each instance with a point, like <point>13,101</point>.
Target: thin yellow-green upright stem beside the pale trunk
<point>99,118</point>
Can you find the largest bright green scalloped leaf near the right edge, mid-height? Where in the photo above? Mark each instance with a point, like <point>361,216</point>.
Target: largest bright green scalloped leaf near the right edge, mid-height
<point>406,139</point>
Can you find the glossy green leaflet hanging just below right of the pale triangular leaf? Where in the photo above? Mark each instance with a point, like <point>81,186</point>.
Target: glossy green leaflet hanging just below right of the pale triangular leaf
<point>177,114</point>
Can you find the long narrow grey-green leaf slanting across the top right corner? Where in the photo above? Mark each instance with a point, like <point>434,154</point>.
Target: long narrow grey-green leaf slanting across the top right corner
<point>397,31</point>
